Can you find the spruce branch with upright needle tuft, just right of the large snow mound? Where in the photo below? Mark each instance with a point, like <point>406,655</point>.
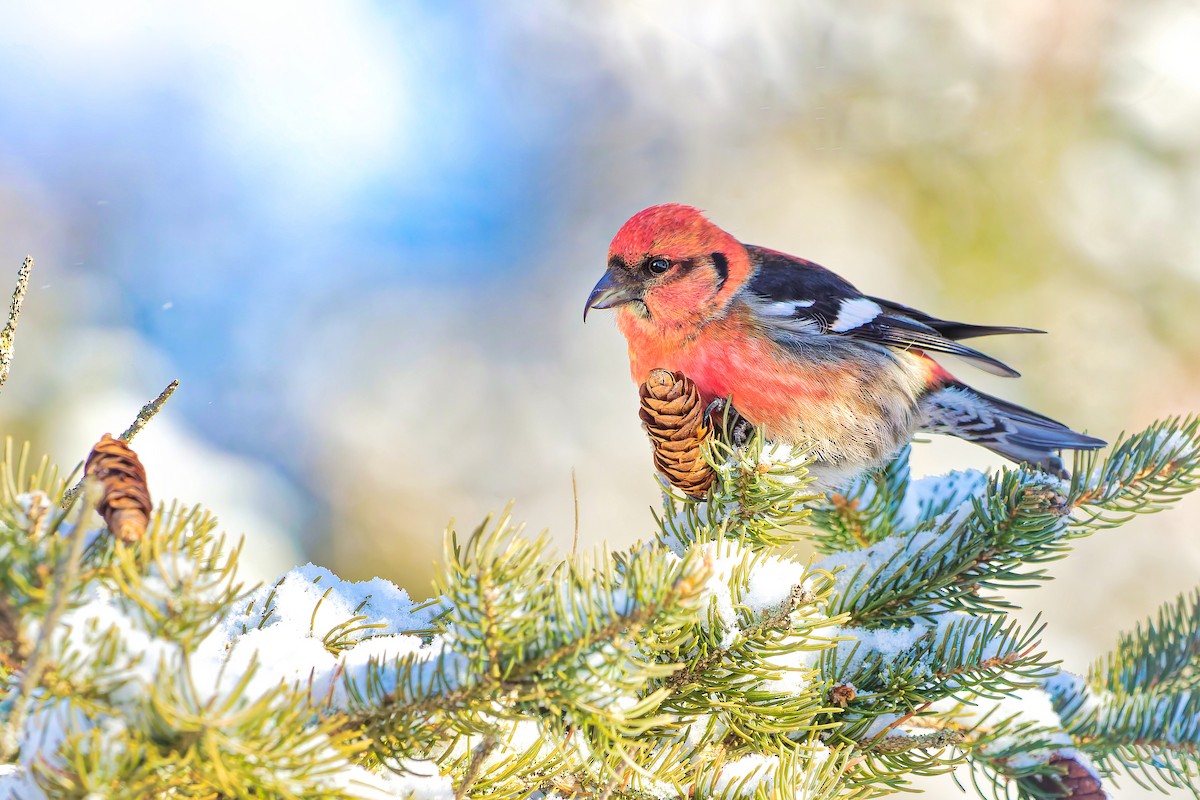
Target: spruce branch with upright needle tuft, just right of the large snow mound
<point>428,697</point>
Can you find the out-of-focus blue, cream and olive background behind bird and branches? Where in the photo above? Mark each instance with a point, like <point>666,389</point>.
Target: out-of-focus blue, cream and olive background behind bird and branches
<point>362,236</point>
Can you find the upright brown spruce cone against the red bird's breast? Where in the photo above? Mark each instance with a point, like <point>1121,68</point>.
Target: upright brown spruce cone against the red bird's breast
<point>675,420</point>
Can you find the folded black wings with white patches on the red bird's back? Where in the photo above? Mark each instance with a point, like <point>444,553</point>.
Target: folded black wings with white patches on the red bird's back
<point>805,298</point>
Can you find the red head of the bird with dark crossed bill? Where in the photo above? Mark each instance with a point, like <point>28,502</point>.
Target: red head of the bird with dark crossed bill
<point>671,267</point>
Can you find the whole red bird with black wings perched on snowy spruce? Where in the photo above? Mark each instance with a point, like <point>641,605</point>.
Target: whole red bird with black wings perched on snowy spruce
<point>803,354</point>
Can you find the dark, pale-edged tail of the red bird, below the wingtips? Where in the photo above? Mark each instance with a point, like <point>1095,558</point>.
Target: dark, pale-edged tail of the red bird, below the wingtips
<point>1006,429</point>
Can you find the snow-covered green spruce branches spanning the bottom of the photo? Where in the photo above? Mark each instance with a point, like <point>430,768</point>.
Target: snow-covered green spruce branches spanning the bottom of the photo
<point>709,663</point>
